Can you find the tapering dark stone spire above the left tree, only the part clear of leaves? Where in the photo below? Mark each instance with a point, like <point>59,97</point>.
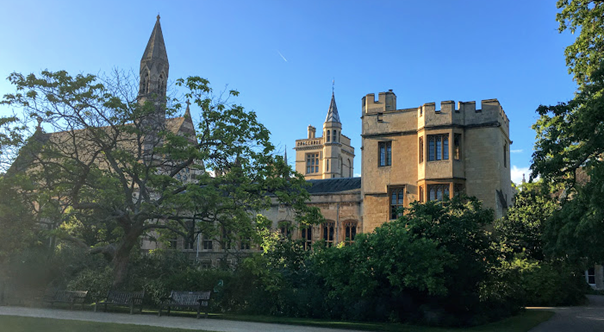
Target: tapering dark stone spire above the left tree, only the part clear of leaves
<point>154,65</point>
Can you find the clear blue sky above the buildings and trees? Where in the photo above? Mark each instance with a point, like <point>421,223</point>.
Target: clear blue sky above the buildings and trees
<point>283,55</point>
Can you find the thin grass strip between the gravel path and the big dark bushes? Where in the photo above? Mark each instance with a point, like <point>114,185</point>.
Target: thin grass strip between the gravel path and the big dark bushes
<point>520,323</point>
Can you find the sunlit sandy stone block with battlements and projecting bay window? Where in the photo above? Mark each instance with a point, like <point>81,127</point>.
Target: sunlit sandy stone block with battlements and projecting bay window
<point>426,152</point>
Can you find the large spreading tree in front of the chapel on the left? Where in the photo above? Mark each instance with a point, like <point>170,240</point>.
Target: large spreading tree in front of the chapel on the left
<point>119,176</point>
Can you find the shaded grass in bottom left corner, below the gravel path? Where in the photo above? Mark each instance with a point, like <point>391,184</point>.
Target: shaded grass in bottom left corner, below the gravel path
<point>30,324</point>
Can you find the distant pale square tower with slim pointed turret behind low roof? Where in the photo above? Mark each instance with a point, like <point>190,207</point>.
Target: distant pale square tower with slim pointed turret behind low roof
<point>327,157</point>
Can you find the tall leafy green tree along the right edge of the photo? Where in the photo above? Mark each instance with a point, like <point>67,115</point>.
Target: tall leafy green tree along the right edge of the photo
<point>570,136</point>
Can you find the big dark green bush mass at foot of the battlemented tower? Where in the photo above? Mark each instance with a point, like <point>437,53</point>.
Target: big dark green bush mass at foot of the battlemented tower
<point>426,267</point>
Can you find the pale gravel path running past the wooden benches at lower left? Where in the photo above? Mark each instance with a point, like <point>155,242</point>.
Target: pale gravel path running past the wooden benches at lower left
<point>153,320</point>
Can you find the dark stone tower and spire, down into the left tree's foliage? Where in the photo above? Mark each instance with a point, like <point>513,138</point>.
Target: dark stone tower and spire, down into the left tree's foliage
<point>154,76</point>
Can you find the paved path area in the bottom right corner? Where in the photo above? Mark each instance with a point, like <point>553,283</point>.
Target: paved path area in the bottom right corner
<point>586,318</point>
